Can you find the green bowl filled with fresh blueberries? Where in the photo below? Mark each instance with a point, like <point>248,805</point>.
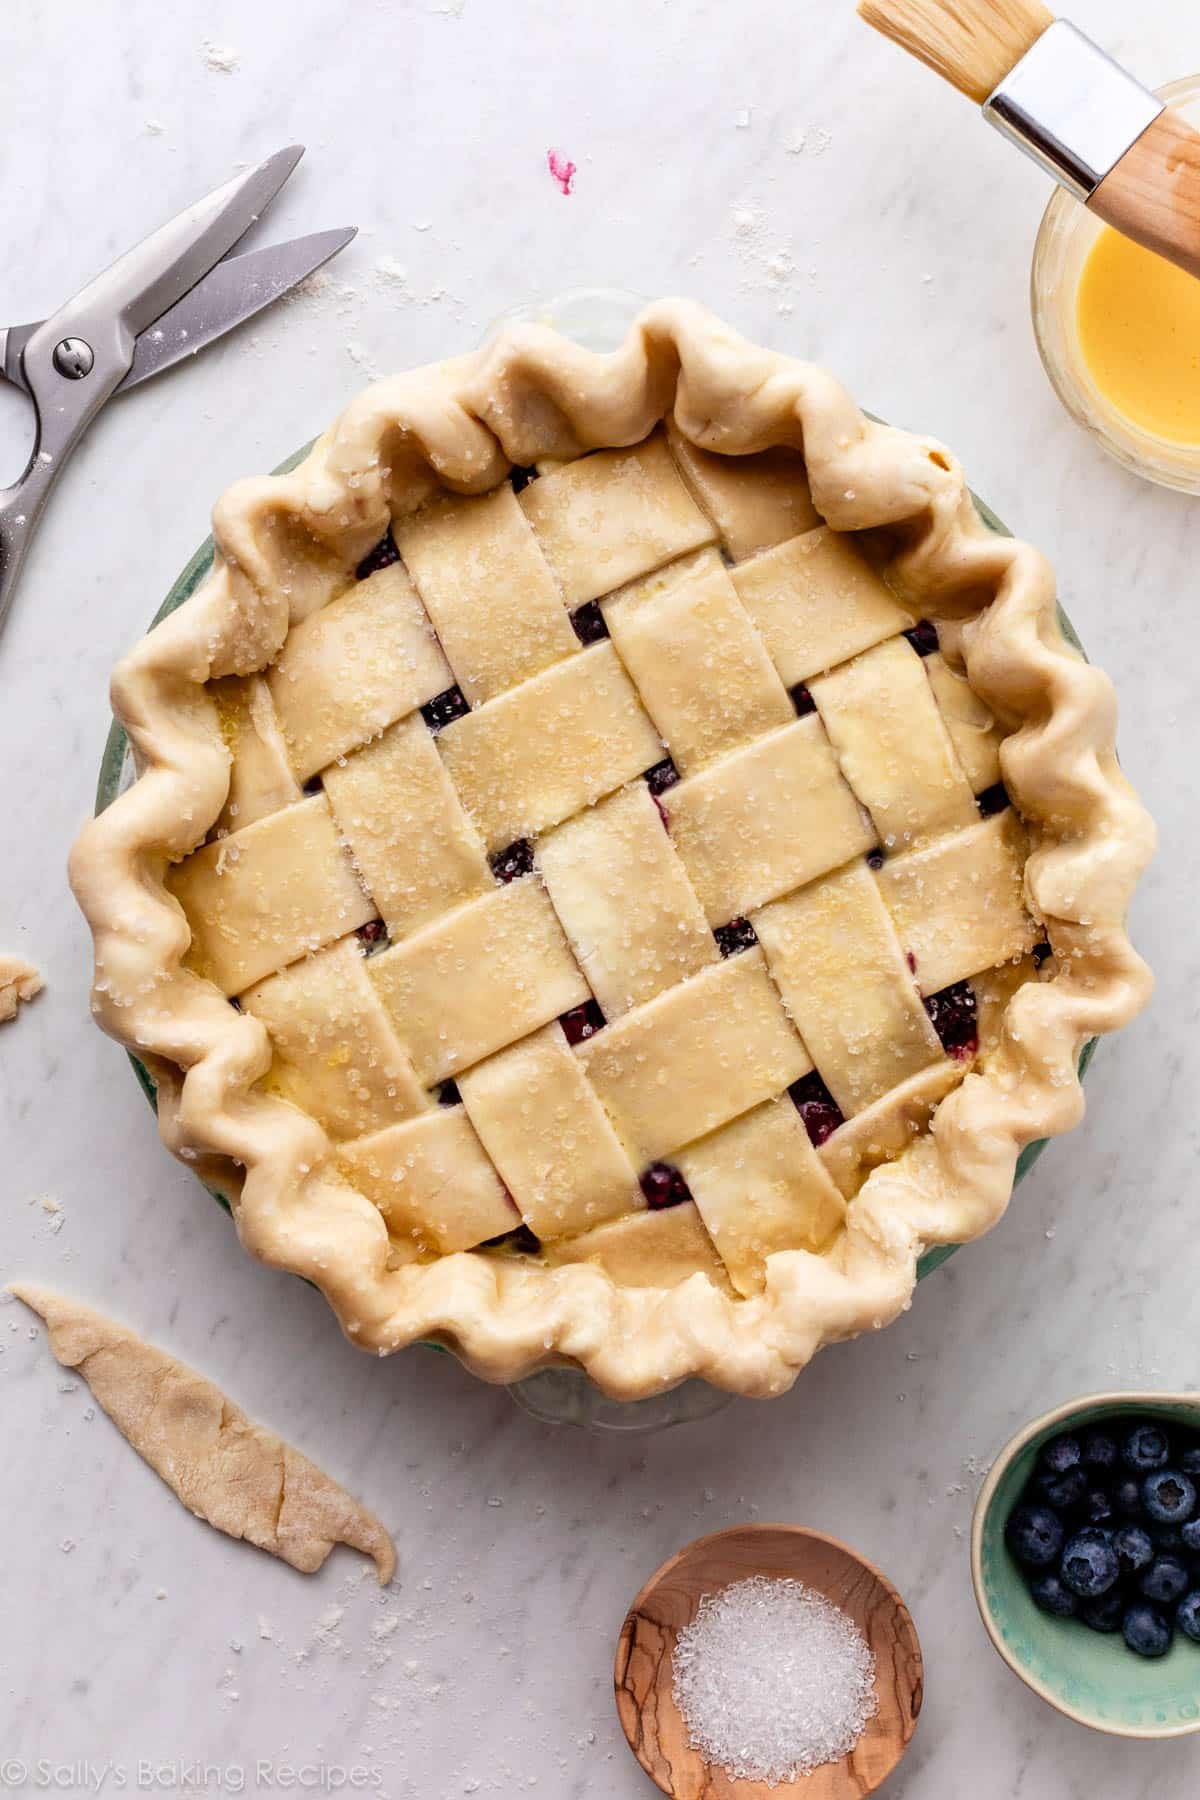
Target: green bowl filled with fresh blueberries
<point>1086,1558</point>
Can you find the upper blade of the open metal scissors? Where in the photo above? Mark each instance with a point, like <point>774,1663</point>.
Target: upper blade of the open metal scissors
<point>157,273</point>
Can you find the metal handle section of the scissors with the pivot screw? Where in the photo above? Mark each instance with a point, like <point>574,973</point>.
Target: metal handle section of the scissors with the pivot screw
<point>69,381</point>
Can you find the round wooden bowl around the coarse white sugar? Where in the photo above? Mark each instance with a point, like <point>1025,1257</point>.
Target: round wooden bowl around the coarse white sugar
<point>670,1601</point>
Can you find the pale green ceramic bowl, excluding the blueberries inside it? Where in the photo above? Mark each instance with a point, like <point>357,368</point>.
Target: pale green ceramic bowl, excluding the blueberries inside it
<point>1089,1678</point>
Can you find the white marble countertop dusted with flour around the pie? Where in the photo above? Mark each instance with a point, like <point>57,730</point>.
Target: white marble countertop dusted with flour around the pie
<point>830,199</point>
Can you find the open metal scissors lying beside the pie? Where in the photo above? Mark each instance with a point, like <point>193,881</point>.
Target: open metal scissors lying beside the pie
<point>159,303</point>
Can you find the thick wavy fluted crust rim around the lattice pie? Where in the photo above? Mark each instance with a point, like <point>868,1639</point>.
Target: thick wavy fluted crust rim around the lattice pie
<point>526,397</point>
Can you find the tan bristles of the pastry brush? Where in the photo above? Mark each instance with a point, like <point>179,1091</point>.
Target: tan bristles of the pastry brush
<point>972,44</point>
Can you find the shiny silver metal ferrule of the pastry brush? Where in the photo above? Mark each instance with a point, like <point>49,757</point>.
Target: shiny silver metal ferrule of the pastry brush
<point>1070,107</point>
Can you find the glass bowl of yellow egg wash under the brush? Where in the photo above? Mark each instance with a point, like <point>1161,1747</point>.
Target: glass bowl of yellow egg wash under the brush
<point>1120,334</point>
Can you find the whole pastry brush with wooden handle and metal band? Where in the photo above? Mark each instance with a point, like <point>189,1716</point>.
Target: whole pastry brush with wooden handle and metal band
<point>1068,105</point>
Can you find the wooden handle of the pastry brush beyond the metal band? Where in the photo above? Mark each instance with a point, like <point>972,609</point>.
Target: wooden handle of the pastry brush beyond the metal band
<point>1154,193</point>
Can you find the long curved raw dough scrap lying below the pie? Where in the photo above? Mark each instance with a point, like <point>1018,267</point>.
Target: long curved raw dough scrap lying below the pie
<point>226,1470</point>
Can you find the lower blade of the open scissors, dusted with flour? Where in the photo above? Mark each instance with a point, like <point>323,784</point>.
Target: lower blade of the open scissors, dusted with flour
<point>229,294</point>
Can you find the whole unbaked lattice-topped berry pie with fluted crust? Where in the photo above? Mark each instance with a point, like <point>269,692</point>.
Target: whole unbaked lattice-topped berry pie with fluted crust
<point>623,861</point>
